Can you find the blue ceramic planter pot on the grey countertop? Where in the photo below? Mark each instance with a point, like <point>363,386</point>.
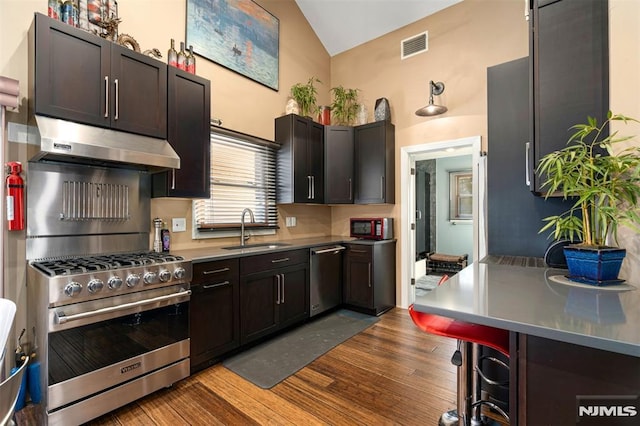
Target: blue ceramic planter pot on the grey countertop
<point>595,266</point>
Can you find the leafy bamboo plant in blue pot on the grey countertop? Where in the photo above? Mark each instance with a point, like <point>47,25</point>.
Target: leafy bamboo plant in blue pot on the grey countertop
<point>604,188</point>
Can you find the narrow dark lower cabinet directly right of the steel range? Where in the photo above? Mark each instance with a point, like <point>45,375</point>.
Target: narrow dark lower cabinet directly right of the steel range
<point>214,313</point>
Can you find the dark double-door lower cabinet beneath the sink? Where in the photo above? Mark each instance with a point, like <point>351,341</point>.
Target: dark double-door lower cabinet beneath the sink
<point>274,292</point>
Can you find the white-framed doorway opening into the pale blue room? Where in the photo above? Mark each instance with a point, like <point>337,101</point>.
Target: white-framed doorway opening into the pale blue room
<point>442,208</point>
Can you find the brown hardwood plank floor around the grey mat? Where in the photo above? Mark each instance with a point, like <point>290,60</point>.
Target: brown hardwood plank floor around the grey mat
<point>391,373</point>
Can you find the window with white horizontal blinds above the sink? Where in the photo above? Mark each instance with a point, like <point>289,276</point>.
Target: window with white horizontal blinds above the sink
<point>243,175</point>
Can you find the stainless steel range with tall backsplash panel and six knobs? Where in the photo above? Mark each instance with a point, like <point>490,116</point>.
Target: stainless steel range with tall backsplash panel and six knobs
<point>111,317</point>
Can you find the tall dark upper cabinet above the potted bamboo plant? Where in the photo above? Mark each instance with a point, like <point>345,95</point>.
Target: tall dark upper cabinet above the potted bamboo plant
<point>569,57</point>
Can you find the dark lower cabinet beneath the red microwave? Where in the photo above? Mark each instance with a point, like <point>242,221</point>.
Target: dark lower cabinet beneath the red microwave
<point>370,276</point>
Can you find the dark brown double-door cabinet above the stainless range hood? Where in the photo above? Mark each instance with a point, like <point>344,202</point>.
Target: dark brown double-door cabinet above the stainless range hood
<point>81,77</point>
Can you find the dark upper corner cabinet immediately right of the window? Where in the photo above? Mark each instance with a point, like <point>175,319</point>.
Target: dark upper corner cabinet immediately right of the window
<point>300,160</point>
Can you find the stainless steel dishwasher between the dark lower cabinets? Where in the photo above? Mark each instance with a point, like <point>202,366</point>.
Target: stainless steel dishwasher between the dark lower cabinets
<point>326,278</point>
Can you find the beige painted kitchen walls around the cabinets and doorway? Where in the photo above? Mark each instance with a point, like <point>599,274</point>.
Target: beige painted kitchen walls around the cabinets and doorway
<point>463,41</point>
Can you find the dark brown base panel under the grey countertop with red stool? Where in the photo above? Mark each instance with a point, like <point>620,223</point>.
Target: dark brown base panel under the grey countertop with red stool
<point>555,378</point>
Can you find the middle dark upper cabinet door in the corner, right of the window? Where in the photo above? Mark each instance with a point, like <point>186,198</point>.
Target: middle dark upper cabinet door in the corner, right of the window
<point>339,182</point>
